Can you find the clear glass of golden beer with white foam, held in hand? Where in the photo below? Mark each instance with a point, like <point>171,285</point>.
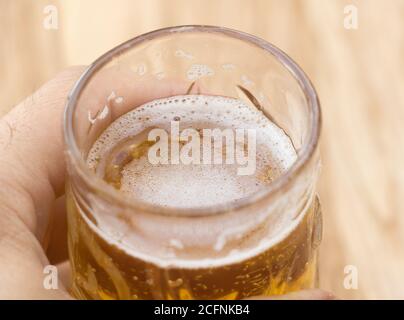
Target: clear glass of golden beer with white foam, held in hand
<point>192,160</point>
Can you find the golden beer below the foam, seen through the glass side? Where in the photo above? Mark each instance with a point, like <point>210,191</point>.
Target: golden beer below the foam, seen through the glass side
<point>103,271</point>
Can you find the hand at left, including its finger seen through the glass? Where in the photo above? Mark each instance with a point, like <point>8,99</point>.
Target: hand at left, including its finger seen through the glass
<point>32,172</point>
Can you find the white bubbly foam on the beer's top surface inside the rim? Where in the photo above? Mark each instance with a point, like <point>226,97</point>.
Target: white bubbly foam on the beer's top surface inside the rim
<point>196,185</point>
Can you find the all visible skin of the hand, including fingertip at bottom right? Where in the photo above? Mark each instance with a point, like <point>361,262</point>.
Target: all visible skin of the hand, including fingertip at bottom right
<point>32,178</point>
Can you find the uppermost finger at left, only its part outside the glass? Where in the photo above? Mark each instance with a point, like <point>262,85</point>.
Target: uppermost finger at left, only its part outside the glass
<point>31,156</point>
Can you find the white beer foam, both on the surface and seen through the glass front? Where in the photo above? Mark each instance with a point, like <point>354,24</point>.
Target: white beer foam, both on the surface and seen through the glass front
<point>191,186</point>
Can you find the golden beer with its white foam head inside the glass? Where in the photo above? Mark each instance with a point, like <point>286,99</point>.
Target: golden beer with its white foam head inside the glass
<point>232,255</point>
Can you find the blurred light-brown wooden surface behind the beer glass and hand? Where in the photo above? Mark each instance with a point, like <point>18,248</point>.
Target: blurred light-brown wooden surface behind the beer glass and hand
<point>359,75</point>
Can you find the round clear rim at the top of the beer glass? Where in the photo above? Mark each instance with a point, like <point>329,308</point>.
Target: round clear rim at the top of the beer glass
<point>285,179</point>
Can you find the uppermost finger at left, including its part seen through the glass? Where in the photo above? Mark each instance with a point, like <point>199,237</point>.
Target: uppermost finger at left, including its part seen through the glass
<point>32,160</point>
